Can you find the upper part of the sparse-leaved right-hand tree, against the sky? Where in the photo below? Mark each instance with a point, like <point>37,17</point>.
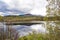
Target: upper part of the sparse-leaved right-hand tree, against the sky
<point>53,8</point>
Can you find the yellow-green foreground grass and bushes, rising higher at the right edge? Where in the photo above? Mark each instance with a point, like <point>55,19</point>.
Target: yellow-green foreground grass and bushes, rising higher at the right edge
<point>51,35</point>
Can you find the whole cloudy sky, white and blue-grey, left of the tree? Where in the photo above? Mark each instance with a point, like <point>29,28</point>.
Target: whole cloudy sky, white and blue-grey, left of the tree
<point>20,7</point>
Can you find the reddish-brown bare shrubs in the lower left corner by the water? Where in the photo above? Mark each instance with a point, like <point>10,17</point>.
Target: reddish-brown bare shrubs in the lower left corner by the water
<point>9,34</point>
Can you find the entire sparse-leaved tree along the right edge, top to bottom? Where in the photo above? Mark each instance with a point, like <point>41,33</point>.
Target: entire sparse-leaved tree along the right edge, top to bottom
<point>53,9</point>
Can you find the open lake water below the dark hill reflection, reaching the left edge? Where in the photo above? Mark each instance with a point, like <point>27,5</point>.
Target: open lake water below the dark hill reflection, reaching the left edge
<point>24,29</point>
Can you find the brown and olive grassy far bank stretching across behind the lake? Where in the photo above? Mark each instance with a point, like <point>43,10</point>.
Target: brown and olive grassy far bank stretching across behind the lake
<point>28,18</point>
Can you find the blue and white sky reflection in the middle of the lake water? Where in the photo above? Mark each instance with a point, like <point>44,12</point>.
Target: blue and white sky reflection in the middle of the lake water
<point>24,30</point>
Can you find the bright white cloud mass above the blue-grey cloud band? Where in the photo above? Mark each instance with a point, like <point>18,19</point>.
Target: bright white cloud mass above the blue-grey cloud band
<point>37,6</point>
